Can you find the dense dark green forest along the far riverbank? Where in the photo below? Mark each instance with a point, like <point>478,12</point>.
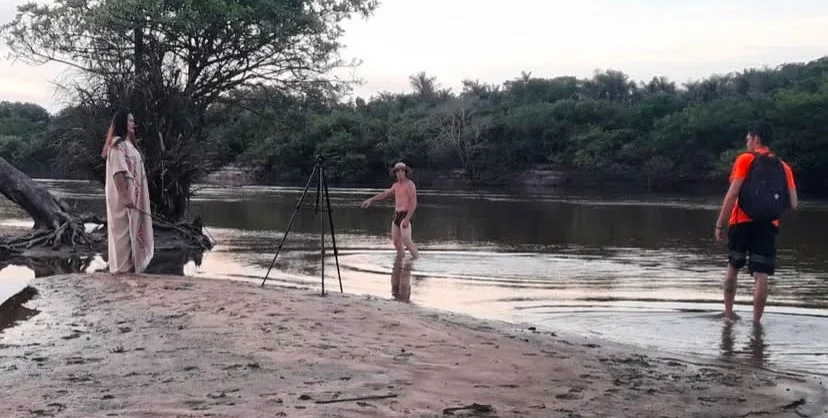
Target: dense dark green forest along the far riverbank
<point>607,128</point>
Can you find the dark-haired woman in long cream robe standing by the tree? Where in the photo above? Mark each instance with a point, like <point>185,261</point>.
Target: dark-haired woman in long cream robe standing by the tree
<point>129,225</point>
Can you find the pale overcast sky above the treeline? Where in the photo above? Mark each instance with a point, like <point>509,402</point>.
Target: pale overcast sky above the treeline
<point>494,41</point>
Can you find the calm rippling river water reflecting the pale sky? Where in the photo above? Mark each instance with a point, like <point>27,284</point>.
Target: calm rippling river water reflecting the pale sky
<point>639,271</point>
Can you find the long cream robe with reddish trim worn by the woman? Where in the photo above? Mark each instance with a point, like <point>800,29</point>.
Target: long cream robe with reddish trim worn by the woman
<point>131,243</point>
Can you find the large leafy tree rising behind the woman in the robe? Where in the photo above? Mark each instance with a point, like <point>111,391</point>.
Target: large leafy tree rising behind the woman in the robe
<point>170,61</point>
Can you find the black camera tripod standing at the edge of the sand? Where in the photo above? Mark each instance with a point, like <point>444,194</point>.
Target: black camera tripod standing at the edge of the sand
<point>321,187</point>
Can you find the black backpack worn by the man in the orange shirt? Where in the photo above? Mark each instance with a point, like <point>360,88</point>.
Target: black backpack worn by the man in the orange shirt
<point>764,193</point>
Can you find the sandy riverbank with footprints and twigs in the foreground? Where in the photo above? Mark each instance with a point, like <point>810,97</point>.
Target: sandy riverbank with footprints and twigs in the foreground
<point>156,346</point>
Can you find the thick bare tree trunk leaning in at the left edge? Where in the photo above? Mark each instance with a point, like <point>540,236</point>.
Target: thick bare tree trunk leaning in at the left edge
<point>47,211</point>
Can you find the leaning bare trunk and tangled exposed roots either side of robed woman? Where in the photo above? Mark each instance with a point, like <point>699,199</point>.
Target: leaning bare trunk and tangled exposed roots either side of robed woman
<point>59,234</point>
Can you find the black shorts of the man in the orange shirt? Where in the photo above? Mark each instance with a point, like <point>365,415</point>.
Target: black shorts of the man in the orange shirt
<point>754,244</point>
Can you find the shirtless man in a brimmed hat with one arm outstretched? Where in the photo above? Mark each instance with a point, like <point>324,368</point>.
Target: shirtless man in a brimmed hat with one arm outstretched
<point>405,203</point>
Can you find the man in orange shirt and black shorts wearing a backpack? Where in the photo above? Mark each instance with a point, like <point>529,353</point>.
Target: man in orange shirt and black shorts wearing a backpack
<point>761,189</point>
